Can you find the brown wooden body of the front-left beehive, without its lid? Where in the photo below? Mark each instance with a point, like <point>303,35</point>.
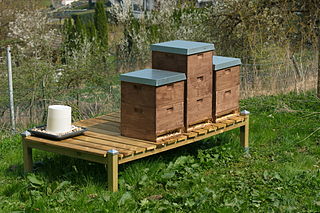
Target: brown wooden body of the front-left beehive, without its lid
<point>148,111</point>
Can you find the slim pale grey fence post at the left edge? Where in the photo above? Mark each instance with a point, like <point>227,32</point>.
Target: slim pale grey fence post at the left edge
<point>10,88</point>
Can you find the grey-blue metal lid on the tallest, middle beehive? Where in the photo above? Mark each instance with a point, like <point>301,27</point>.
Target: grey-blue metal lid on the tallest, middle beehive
<point>182,47</point>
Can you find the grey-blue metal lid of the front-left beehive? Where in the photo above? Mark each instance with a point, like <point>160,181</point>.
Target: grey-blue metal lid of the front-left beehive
<point>153,77</point>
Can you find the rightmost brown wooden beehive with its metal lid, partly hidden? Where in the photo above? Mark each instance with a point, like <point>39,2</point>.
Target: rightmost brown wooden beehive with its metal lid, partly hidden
<point>226,86</point>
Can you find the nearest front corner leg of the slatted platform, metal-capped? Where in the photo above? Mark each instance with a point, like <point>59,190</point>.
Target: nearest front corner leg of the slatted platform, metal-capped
<point>113,170</point>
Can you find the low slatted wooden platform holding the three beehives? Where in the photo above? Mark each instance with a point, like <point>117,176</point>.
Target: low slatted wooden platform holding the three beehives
<point>104,134</point>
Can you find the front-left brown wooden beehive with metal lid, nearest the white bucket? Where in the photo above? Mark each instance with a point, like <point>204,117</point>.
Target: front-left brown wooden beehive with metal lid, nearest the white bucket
<point>152,103</point>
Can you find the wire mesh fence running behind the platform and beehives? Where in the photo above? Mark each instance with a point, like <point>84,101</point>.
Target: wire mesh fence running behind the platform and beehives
<point>89,101</point>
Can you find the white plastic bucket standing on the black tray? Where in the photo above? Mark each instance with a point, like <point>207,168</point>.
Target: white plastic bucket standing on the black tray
<point>59,119</point>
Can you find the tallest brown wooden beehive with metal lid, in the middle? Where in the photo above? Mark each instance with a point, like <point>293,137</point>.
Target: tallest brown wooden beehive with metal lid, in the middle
<point>195,60</point>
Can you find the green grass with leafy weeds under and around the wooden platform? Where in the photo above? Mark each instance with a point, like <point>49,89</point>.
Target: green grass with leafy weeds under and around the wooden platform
<point>281,173</point>
